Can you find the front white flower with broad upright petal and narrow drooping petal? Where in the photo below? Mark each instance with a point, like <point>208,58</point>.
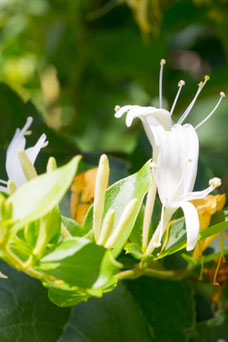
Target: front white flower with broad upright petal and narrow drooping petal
<point>175,175</point>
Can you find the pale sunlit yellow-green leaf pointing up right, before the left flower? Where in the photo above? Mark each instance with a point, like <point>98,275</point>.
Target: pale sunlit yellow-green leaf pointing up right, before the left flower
<point>37,197</point>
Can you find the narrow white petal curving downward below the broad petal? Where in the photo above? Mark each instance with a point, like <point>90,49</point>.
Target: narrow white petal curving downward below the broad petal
<point>192,224</point>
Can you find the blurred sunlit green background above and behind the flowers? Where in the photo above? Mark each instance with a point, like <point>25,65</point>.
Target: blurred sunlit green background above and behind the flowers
<point>68,63</point>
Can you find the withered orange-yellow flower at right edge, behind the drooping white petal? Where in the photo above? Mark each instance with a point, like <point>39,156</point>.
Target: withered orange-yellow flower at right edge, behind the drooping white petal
<point>206,207</point>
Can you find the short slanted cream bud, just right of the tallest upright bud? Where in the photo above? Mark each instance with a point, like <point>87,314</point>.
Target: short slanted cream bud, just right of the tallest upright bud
<point>122,224</point>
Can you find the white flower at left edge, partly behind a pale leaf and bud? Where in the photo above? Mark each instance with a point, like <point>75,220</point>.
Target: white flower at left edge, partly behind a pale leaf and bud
<point>13,166</point>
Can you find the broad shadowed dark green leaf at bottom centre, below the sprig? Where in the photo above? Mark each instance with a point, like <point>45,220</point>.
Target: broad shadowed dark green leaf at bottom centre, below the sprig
<point>116,317</point>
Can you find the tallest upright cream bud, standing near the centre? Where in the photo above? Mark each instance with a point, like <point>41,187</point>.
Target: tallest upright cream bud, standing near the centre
<point>100,187</point>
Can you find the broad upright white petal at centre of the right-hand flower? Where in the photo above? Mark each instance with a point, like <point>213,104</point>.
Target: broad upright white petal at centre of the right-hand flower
<point>177,161</point>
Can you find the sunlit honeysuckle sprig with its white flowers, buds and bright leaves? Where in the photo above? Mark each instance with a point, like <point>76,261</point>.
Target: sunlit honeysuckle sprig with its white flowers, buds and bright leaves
<point>75,261</point>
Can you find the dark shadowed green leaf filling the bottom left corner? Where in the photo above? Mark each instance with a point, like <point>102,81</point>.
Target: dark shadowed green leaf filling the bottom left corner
<point>26,312</point>
